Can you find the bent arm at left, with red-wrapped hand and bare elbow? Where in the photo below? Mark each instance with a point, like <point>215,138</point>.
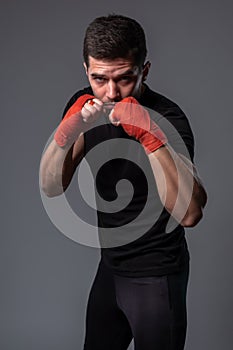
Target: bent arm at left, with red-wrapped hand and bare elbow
<point>66,150</point>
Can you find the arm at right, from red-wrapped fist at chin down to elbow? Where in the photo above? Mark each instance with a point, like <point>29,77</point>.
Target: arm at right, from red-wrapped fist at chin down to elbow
<point>179,190</point>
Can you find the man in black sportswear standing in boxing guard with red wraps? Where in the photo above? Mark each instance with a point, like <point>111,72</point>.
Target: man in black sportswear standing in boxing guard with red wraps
<point>140,288</point>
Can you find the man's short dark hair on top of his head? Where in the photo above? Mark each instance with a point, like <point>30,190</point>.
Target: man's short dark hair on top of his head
<point>115,36</point>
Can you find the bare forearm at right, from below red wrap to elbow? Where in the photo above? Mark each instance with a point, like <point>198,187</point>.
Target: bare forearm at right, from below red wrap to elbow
<point>180,191</point>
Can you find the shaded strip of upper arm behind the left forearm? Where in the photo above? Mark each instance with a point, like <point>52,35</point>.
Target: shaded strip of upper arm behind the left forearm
<point>73,158</point>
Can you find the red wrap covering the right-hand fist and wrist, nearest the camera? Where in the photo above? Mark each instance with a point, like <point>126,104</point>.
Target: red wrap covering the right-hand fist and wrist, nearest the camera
<point>136,122</point>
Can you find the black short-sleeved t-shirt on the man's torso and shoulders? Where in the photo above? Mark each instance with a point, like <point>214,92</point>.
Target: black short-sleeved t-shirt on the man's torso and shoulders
<point>137,235</point>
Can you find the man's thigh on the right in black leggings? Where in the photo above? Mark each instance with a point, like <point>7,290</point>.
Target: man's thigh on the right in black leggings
<point>156,310</point>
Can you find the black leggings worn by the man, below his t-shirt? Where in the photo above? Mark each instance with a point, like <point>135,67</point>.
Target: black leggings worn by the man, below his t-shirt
<point>152,310</point>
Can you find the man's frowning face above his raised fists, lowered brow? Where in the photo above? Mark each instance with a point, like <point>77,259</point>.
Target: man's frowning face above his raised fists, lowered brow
<point>113,80</point>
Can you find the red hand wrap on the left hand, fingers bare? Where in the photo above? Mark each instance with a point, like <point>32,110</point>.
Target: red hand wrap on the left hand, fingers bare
<point>72,124</point>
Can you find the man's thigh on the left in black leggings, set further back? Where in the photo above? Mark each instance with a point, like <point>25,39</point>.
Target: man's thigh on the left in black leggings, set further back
<point>106,325</point>
